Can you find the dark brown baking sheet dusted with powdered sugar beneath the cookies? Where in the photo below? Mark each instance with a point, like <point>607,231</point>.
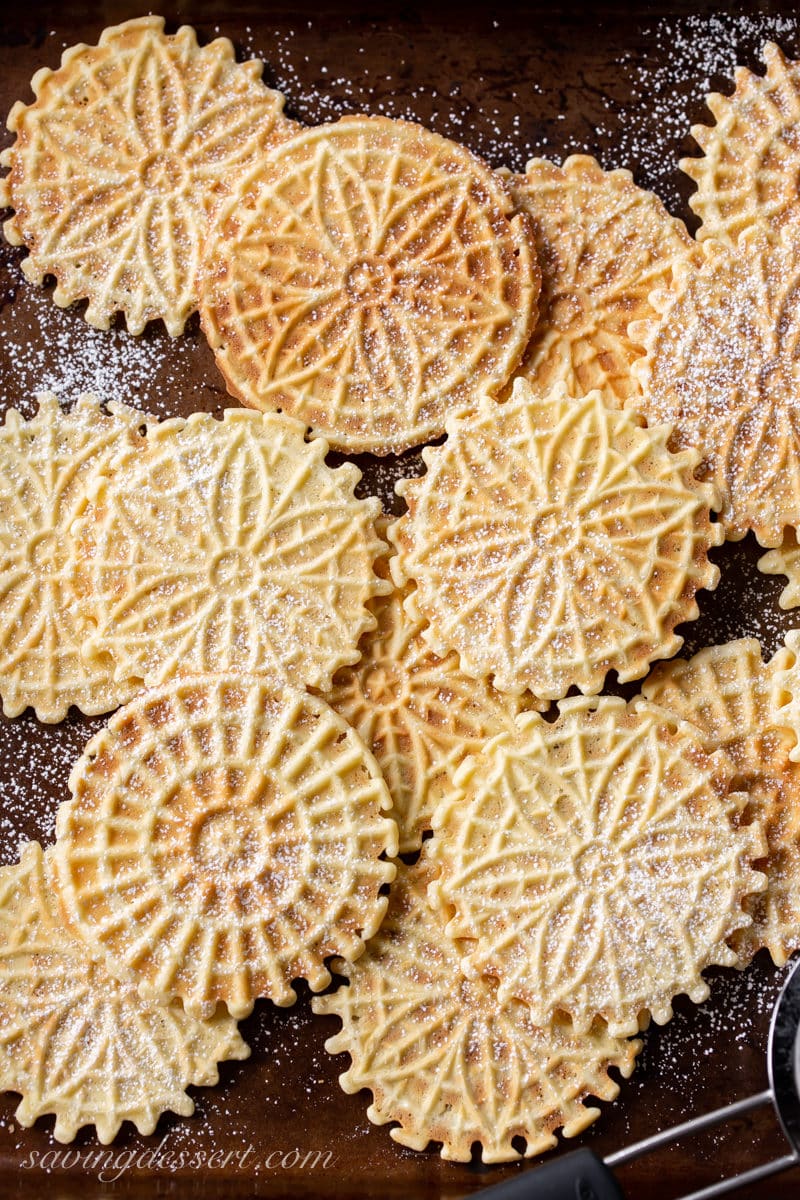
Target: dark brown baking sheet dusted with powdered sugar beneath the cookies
<point>618,81</point>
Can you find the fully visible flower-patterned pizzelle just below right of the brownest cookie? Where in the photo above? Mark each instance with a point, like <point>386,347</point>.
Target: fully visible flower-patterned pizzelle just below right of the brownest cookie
<point>554,541</point>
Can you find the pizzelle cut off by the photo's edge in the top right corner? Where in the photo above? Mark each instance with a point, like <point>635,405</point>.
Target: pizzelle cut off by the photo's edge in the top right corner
<point>749,171</point>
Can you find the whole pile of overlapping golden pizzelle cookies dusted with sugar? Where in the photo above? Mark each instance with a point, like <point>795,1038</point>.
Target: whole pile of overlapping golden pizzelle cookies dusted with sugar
<point>309,689</point>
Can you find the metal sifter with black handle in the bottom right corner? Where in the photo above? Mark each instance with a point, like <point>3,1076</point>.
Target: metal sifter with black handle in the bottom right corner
<point>584,1175</point>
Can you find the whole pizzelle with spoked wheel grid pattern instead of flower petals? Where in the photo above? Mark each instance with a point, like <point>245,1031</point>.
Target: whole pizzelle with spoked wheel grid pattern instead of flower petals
<point>224,838</point>
